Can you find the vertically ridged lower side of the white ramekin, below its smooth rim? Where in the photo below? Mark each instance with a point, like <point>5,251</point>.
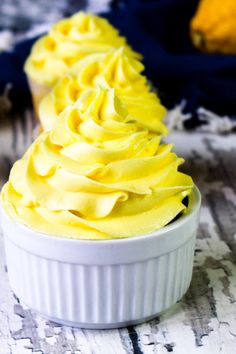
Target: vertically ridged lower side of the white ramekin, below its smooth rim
<point>100,295</point>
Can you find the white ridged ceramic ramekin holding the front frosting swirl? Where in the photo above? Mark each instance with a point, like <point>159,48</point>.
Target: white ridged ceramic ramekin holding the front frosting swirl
<point>102,284</point>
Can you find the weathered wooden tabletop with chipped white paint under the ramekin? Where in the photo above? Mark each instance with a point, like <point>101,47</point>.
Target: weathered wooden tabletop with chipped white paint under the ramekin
<point>204,321</point>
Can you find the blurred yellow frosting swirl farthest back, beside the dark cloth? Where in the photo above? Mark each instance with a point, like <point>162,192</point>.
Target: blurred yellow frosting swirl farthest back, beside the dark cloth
<point>68,41</point>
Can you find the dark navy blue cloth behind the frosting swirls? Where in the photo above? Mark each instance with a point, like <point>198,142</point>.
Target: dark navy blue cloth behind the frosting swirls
<point>159,29</point>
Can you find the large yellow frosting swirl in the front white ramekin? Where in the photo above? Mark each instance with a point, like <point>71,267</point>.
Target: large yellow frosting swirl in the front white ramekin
<point>98,174</point>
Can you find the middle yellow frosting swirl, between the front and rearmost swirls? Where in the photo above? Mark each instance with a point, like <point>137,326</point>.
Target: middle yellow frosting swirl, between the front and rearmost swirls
<point>115,70</point>
